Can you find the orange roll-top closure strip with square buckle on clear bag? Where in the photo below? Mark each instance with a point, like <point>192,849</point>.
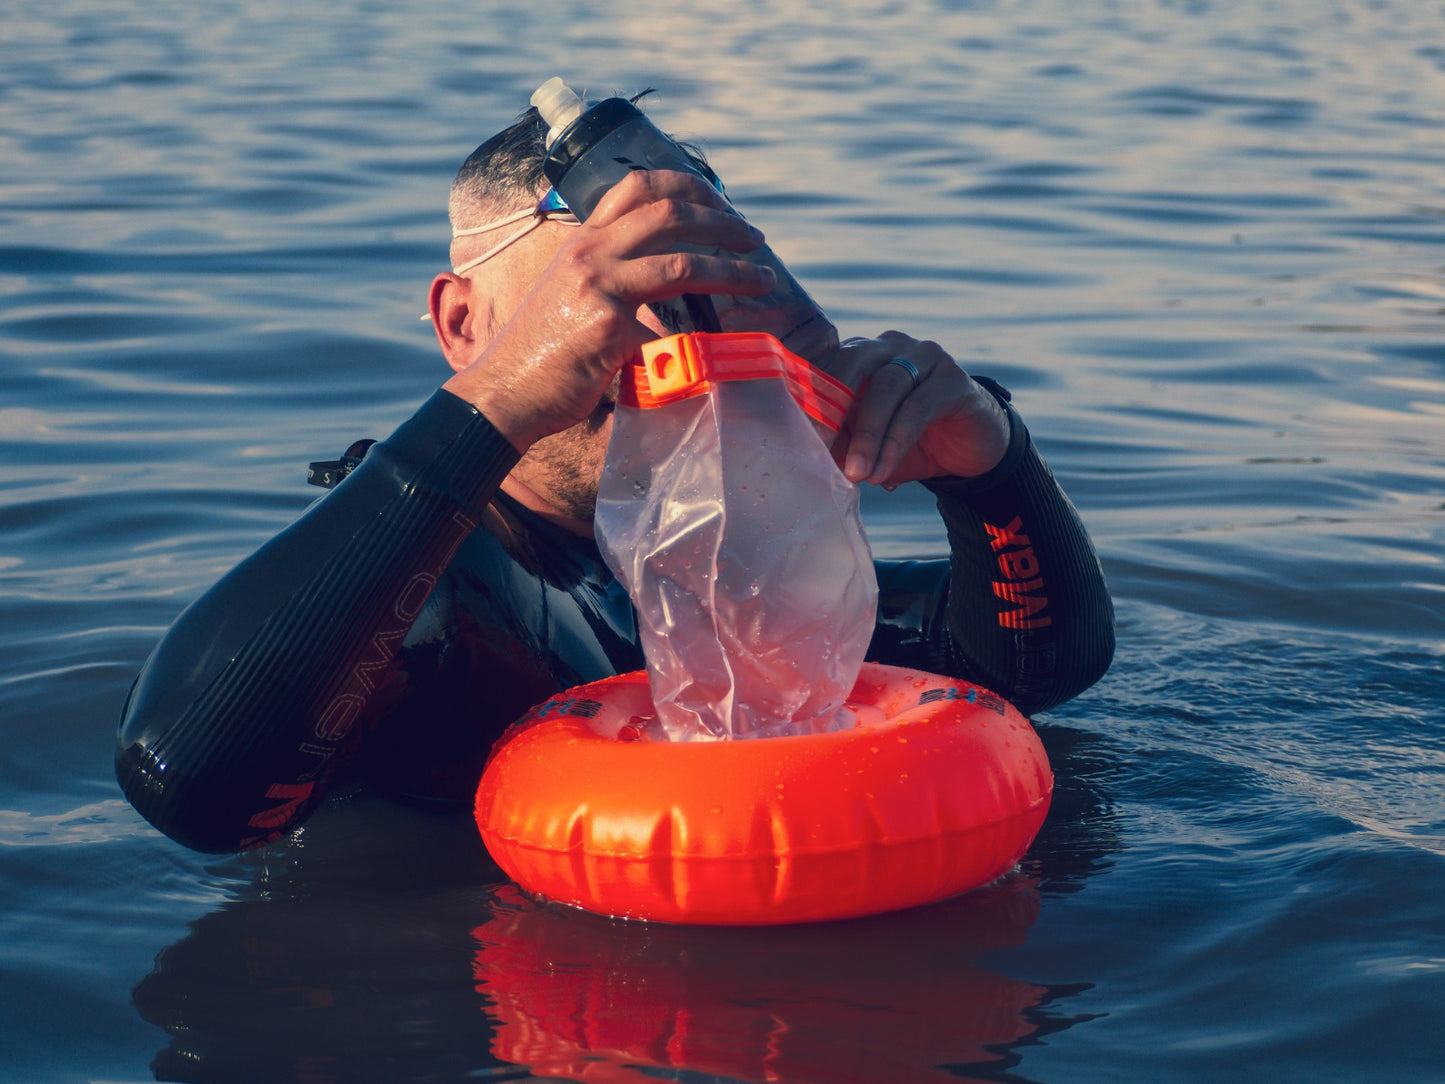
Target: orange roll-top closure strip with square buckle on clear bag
<point>684,366</point>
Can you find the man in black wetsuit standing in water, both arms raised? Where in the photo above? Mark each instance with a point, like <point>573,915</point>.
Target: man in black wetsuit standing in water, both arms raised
<point>452,582</point>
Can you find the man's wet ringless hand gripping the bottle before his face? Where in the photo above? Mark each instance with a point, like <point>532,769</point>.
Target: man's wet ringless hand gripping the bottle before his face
<point>556,356</point>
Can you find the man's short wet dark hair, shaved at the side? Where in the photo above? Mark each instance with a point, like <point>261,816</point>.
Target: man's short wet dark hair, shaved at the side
<point>505,174</point>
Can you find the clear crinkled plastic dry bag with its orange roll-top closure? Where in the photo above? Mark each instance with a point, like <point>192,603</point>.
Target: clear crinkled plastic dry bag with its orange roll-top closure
<point>738,537</point>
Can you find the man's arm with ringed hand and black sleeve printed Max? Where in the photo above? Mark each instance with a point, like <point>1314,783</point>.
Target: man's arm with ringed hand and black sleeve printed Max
<point>1024,611</point>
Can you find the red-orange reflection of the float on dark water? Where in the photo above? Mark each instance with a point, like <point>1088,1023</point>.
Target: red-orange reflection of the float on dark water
<point>882,1001</point>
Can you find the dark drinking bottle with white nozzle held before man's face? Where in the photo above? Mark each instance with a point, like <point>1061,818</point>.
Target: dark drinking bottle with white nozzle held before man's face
<point>592,150</point>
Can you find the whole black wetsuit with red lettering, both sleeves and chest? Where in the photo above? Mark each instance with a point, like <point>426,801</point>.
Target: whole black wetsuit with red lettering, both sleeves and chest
<point>410,616</point>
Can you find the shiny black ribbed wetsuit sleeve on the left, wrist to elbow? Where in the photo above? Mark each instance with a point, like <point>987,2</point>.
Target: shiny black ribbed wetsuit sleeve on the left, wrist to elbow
<point>259,692</point>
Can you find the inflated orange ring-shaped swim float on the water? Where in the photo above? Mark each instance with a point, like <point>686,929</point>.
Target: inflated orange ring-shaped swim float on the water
<point>940,790</point>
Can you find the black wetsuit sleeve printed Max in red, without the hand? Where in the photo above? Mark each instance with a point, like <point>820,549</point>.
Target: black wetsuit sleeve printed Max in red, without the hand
<point>1022,606</point>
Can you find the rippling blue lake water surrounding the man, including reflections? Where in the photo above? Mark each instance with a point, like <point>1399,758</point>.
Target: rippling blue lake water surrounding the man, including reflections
<point>1203,242</point>
